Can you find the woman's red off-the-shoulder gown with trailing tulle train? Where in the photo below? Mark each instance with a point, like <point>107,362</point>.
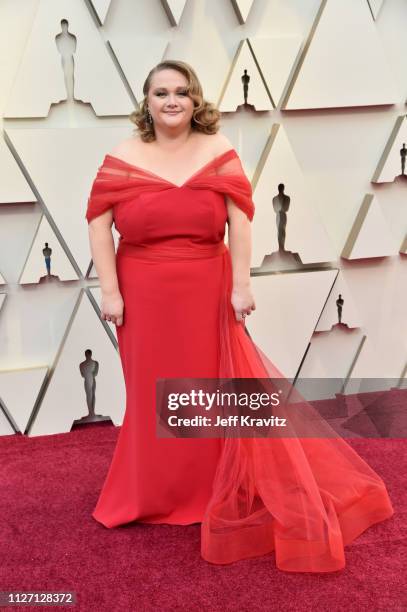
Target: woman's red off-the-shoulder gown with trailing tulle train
<point>303,498</point>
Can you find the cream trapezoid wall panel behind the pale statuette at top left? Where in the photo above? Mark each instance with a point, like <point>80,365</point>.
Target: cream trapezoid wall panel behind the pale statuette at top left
<point>40,79</point>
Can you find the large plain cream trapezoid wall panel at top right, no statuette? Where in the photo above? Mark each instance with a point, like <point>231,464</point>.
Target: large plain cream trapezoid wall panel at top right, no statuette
<point>336,73</point>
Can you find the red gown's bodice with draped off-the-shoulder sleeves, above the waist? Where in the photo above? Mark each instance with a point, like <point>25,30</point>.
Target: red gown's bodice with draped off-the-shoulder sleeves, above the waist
<point>148,208</point>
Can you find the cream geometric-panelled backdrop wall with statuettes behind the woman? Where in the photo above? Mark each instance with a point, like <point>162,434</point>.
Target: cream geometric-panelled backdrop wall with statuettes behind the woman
<point>313,98</point>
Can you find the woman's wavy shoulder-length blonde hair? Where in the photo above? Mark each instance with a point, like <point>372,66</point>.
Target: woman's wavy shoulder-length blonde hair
<point>205,117</point>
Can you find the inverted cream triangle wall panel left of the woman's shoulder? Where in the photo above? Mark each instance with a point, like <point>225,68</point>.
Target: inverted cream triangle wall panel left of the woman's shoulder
<point>52,162</point>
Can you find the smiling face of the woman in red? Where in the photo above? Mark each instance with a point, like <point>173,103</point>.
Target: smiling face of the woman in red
<point>168,100</point>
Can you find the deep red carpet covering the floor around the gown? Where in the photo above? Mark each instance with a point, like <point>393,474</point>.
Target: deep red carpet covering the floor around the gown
<point>49,541</point>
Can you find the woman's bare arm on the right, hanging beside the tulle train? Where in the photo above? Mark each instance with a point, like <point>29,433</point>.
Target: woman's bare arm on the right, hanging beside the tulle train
<point>239,239</point>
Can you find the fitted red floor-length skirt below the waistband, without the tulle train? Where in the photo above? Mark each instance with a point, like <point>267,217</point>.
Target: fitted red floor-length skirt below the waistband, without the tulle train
<point>170,330</point>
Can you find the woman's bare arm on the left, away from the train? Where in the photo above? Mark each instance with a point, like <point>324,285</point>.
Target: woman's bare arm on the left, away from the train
<point>104,258</point>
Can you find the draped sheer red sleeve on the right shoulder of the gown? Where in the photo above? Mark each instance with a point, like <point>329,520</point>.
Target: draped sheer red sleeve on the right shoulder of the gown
<point>225,174</point>
